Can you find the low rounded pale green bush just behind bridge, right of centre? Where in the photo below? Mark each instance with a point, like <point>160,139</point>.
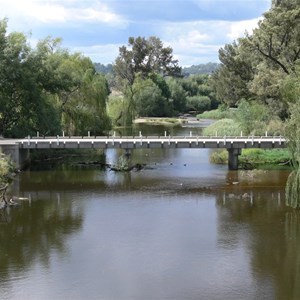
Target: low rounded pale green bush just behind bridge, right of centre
<point>224,127</point>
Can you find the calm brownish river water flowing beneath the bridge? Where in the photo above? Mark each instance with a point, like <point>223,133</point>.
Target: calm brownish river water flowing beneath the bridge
<point>182,228</point>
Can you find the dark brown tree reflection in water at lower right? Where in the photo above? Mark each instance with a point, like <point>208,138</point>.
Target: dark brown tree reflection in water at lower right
<point>271,233</point>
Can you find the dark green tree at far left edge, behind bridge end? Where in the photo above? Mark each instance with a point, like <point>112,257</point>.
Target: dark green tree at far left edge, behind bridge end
<point>23,105</point>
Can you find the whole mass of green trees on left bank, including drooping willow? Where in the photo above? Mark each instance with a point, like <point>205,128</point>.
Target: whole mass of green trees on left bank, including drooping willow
<point>47,89</point>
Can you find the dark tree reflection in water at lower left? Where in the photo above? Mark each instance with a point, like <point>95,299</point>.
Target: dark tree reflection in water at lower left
<point>31,233</point>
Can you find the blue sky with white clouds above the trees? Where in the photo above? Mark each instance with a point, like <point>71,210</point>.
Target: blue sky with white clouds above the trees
<point>194,29</point>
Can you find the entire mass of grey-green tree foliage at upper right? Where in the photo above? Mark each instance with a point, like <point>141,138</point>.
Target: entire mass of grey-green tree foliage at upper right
<point>255,67</point>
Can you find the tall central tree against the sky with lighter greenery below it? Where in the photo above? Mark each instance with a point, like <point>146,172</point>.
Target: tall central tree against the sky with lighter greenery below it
<point>144,64</point>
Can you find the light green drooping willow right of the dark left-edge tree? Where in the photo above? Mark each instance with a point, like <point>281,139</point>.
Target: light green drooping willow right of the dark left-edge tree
<point>83,106</point>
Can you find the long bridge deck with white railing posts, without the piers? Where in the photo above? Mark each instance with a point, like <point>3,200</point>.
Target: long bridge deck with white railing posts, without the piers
<point>151,142</point>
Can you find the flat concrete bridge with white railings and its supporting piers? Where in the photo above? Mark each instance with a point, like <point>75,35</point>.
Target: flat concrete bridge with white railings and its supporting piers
<point>19,148</point>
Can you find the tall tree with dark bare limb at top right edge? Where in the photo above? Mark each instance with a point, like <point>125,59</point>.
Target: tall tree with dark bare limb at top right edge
<point>276,45</point>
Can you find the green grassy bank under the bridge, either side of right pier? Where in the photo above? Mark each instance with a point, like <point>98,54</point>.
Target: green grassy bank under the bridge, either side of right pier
<point>255,158</point>
